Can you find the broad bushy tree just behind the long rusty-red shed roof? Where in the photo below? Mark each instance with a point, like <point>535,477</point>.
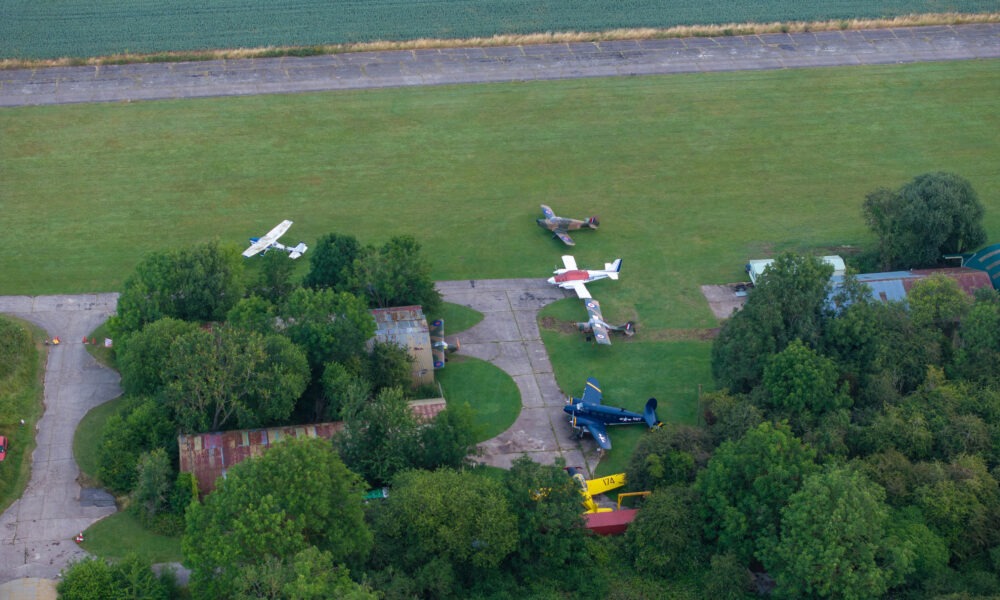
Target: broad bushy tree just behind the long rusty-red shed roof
<point>218,377</point>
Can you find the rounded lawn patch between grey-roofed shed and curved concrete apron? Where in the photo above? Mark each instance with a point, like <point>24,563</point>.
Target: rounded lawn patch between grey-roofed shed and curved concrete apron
<point>490,392</point>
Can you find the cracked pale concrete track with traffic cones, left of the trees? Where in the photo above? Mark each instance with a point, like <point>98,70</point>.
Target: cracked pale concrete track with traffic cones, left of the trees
<point>36,532</point>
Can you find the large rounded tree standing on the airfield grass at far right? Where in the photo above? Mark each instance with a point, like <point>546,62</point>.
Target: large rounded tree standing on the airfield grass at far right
<point>934,214</point>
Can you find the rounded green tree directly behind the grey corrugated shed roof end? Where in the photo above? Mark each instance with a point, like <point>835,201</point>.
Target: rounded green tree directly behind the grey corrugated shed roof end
<point>395,275</point>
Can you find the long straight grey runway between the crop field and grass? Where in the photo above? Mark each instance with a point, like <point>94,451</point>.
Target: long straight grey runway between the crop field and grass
<point>114,83</point>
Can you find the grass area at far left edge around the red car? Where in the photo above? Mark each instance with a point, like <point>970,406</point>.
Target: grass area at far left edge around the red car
<point>21,397</point>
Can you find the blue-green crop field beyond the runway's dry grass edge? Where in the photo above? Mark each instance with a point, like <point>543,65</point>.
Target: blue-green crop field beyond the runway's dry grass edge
<point>83,28</point>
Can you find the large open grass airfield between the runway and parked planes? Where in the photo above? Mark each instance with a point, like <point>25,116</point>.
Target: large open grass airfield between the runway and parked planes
<point>691,175</point>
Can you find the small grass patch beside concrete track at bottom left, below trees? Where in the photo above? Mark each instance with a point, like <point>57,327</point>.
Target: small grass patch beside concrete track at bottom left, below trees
<point>121,534</point>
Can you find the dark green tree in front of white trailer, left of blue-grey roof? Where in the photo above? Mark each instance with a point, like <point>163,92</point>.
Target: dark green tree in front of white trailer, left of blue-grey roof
<point>788,303</point>
